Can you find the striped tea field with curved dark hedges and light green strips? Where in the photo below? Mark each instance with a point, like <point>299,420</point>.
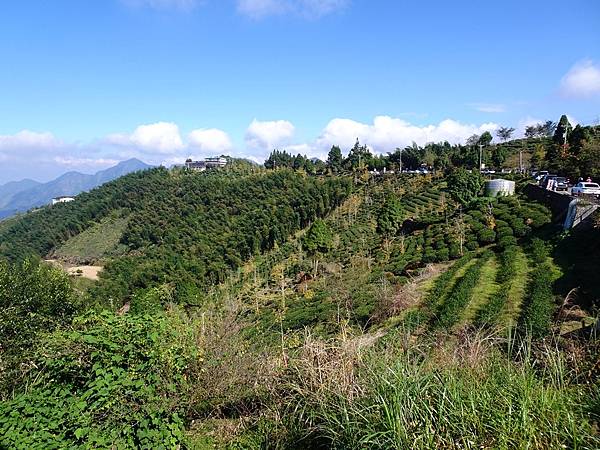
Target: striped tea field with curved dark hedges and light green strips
<point>488,289</point>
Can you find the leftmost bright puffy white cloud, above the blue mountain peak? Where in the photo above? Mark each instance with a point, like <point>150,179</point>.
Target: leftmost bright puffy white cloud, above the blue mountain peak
<point>160,137</point>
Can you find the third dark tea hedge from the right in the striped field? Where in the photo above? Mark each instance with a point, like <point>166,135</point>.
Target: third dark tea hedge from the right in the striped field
<point>449,311</point>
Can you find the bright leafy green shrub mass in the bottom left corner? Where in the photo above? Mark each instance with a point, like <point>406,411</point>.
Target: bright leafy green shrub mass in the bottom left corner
<point>113,381</point>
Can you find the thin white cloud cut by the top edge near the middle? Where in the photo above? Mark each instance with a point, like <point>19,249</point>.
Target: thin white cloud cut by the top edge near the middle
<point>257,9</point>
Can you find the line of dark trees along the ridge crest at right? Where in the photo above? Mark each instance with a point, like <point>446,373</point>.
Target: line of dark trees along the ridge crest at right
<point>557,146</point>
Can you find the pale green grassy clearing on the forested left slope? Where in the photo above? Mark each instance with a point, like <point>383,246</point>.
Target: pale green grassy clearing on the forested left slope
<point>95,243</point>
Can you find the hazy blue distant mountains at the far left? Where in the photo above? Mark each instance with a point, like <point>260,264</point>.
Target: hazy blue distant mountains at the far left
<point>20,196</point>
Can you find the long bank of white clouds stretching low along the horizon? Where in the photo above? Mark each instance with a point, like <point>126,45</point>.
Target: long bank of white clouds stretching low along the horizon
<point>42,155</point>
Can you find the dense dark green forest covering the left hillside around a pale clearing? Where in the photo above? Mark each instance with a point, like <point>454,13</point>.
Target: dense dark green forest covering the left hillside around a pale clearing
<point>184,228</point>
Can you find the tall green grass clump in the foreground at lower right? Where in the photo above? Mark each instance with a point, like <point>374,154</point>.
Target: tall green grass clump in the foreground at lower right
<point>404,402</point>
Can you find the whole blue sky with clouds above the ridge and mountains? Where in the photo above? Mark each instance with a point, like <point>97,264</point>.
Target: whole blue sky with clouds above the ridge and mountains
<point>87,83</point>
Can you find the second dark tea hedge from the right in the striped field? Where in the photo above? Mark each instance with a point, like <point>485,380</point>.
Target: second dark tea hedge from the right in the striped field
<point>488,315</point>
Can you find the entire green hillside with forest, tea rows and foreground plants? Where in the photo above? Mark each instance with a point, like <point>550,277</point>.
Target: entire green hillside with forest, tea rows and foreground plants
<point>272,308</point>
